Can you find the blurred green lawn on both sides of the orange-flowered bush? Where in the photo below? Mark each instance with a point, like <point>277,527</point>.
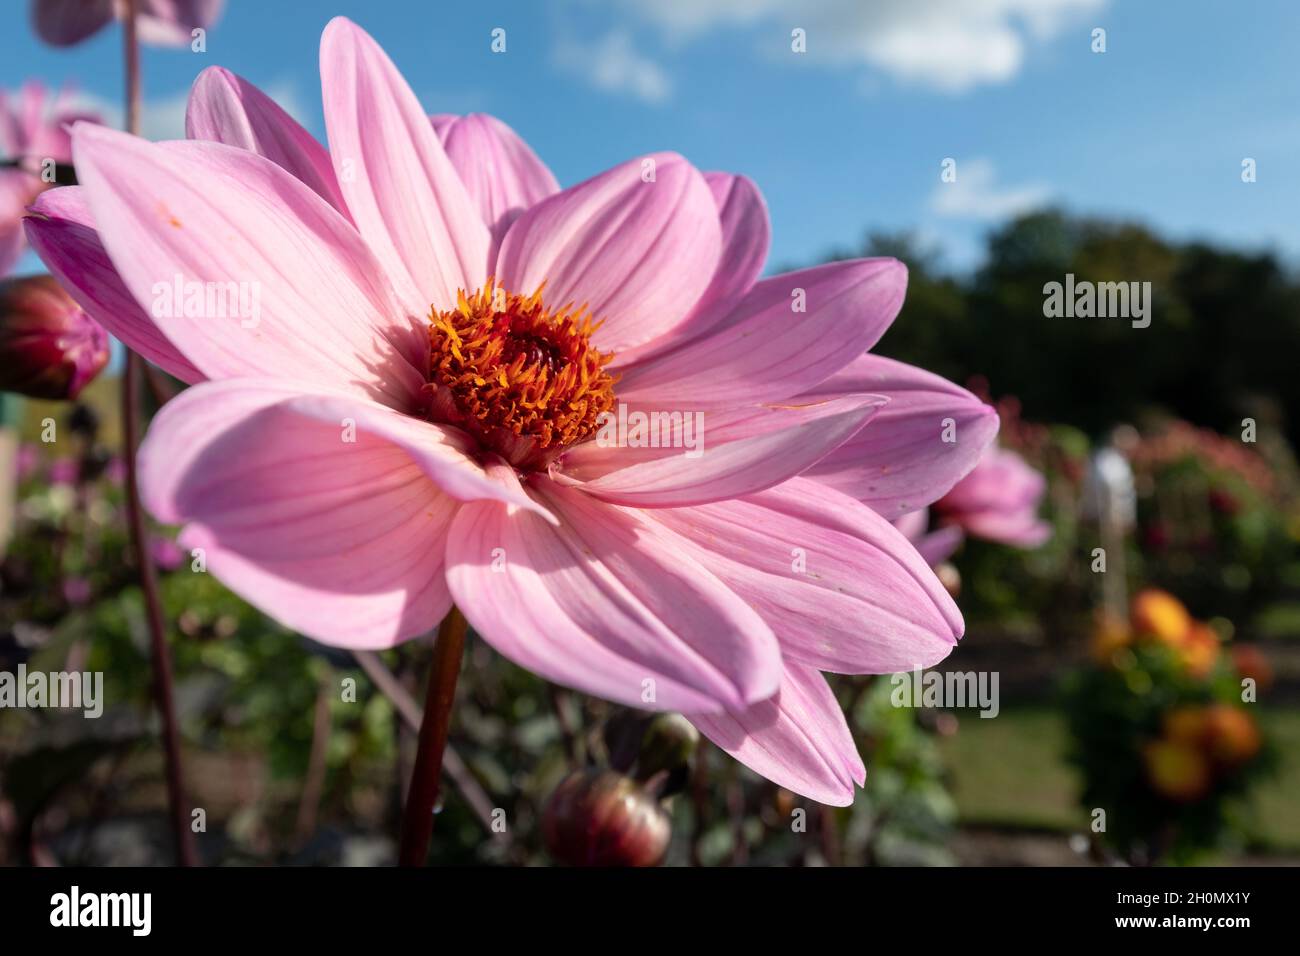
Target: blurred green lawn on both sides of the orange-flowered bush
<point>1011,772</point>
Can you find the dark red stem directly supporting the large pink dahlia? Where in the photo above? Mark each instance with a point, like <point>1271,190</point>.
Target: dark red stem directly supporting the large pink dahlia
<point>418,821</point>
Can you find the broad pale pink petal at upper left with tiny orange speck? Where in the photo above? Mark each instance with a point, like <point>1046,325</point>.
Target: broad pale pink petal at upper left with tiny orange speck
<point>206,213</point>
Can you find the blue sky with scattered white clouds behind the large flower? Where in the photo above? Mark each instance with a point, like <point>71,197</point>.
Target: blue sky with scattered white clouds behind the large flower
<point>844,139</point>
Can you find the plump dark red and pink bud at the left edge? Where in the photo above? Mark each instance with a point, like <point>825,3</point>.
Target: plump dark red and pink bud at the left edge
<point>49,348</point>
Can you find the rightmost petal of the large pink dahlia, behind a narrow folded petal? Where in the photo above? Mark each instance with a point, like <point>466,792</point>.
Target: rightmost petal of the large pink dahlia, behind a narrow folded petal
<point>903,462</point>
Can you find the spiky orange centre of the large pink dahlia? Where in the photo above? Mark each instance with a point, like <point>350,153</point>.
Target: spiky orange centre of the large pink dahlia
<point>523,379</point>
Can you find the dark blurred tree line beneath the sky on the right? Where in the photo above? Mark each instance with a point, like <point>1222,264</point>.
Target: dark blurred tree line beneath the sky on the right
<point>1221,345</point>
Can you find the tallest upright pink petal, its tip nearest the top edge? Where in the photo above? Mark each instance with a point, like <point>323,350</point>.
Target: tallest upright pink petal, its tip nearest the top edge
<point>402,191</point>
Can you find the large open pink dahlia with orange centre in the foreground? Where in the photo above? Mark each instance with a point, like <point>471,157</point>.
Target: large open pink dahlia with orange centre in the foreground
<point>417,418</point>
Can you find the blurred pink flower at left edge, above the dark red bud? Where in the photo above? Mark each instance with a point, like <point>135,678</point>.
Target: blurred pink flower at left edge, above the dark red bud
<point>32,135</point>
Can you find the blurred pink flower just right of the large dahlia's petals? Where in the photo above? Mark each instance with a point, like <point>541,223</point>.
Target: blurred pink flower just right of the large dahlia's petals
<point>999,501</point>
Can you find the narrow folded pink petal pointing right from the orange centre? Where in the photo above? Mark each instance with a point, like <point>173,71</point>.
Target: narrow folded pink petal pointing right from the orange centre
<point>747,452</point>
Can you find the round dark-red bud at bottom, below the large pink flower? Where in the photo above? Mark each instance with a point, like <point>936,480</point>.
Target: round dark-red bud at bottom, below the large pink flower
<point>603,819</point>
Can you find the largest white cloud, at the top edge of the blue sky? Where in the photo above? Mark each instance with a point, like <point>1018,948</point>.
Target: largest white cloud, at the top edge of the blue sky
<point>943,45</point>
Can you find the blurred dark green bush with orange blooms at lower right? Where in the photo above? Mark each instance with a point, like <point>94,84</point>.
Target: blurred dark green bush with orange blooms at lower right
<point>1165,733</point>
